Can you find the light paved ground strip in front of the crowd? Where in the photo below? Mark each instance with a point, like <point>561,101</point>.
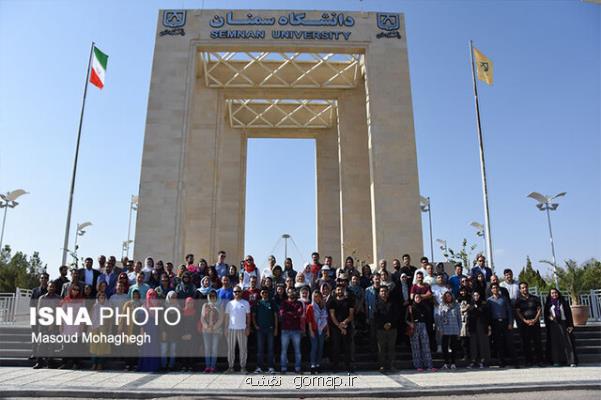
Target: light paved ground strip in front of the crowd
<point>20,381</point>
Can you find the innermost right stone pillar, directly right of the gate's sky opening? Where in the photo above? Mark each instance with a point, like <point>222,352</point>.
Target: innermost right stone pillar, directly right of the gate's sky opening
<point>328,189</point>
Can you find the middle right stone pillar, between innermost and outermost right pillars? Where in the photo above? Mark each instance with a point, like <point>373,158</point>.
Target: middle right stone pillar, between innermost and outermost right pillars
<point>355,200</point>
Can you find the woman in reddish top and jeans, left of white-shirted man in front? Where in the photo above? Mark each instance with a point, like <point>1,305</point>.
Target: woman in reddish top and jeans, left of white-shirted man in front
<point>211,321</point>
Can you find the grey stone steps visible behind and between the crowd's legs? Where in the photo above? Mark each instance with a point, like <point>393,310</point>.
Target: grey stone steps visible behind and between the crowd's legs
<point>15,350</point>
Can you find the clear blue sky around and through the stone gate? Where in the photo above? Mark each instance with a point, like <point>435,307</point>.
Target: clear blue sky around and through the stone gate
<point>541,122</point>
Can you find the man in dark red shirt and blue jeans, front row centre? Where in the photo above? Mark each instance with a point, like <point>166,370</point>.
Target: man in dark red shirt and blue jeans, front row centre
<point>292,316</point>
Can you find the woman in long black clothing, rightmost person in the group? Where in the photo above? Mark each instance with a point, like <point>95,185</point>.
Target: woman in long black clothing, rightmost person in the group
<point>558,319</point>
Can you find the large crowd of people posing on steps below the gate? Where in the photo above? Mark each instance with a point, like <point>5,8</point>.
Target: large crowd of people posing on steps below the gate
<point>320,311</point>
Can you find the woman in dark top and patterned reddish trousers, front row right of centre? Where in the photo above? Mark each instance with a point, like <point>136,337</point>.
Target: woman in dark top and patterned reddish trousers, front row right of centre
<point>419,318</point>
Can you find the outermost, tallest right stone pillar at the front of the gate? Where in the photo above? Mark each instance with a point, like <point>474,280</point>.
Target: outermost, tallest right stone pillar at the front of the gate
<point>396,215</point>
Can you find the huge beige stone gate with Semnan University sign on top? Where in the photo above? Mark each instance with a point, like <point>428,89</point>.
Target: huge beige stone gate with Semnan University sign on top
<point>220,77</point>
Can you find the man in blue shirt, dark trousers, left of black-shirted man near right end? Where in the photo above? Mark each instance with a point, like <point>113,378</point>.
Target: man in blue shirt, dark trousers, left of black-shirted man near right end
<point>502,325</point>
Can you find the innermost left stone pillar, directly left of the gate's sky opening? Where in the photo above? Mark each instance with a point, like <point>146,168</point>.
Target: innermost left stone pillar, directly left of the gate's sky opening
<point>231,193</point>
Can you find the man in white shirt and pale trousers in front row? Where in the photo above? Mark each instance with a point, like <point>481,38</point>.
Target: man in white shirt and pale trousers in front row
<point>237,328</point>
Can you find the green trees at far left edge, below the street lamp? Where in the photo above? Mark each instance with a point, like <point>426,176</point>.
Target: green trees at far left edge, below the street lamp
<point>19,270</point>
